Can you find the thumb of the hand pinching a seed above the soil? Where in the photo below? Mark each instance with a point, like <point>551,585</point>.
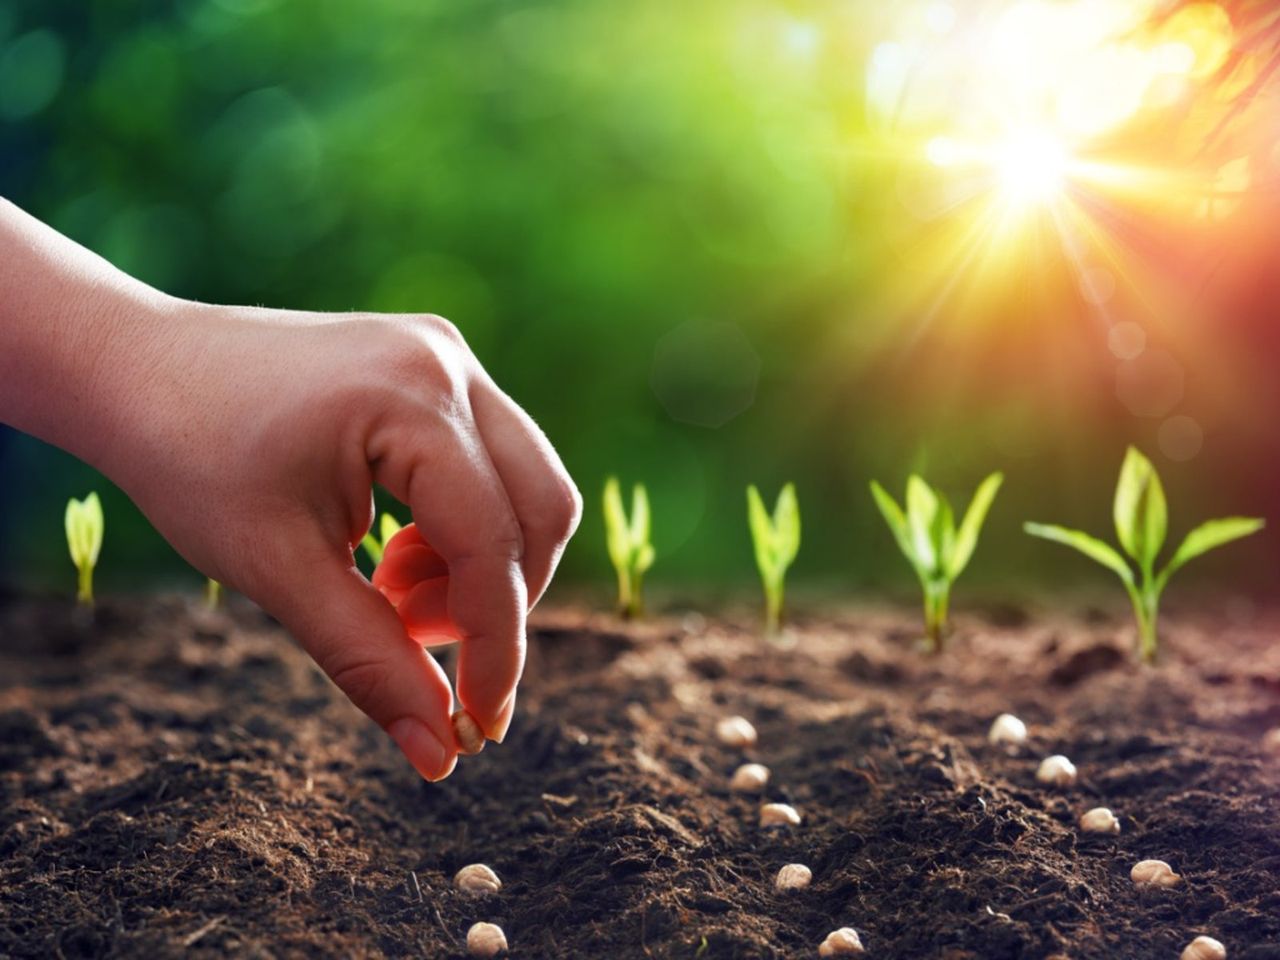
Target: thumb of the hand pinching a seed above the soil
<point>358,641</point>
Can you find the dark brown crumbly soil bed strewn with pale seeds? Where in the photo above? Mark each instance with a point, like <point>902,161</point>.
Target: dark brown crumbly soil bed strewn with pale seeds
<point>181,784</point>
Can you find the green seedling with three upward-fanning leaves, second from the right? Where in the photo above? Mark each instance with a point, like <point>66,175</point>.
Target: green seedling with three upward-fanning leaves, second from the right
<point>939,552</point>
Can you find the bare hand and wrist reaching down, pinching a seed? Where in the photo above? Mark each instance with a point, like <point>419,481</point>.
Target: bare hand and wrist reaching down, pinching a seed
<point>252,438</point>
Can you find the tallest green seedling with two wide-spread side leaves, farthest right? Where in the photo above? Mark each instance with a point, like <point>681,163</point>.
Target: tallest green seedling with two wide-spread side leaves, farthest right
<point>1142,520</point>
